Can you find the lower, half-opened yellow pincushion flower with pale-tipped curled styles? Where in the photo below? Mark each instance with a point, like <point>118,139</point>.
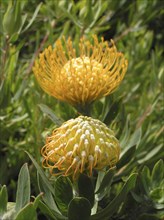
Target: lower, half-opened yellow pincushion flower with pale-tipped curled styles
<point>80,145</point>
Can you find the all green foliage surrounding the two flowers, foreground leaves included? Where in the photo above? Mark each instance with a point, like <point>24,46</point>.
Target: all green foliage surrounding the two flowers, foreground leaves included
<point>134,111</point>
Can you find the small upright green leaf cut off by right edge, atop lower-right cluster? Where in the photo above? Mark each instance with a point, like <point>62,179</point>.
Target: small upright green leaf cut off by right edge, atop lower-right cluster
<point>157,173</point>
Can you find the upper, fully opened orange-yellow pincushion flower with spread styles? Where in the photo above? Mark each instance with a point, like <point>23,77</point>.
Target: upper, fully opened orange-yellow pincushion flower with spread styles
<point>83,75</point>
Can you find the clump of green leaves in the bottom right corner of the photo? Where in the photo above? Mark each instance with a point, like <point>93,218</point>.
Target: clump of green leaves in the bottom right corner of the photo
<point>146,200</point>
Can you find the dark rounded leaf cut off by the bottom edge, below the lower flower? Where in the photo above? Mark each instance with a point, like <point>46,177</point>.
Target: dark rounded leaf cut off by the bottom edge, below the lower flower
<point>79,209</point>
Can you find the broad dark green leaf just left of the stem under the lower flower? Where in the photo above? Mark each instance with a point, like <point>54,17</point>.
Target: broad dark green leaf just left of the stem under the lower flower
<point>63,193</point>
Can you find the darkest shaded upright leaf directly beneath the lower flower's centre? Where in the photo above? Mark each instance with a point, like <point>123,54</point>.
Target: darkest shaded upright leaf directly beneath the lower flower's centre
<point>86,189</point>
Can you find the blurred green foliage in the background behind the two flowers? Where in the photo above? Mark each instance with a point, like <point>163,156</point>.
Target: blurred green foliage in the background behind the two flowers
<point>134,111</point>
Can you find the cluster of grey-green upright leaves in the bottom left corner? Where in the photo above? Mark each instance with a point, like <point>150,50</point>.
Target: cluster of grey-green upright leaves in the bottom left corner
<point>22,208</point>
